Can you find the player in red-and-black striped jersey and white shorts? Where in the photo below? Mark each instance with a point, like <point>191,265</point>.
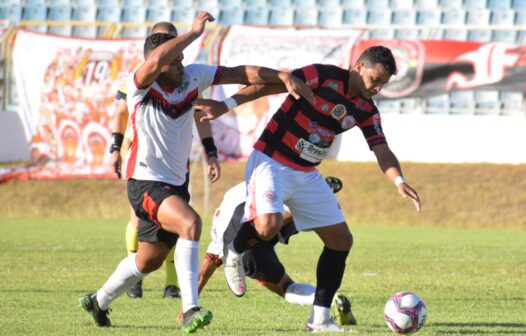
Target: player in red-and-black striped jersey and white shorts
<point>282,168</point>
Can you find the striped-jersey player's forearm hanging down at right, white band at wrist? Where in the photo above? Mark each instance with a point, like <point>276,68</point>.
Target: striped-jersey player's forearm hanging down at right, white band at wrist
<point>391,168</point>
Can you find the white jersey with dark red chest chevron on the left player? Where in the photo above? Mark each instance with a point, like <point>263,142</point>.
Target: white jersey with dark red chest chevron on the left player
<point>162,123</point>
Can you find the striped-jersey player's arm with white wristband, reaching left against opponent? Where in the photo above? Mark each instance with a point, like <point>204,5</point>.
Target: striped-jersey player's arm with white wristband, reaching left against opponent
<point>210,109</point>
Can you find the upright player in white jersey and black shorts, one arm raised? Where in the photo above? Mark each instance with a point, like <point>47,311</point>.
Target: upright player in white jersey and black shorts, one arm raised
<point>160,96</point>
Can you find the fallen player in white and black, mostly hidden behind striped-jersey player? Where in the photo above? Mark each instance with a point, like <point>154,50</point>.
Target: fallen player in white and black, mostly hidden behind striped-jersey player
<point>262,263</point>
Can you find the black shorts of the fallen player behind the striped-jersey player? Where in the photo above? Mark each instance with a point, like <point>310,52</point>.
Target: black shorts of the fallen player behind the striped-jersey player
<point>261,263</point>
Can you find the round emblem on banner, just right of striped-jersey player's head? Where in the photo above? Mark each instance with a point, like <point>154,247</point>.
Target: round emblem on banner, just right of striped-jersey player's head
<point>409,56</point>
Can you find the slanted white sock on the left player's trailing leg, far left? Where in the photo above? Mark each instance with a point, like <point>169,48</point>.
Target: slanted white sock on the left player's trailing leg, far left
<point>125,276</point>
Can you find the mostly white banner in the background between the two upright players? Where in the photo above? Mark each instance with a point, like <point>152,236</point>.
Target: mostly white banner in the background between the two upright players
<point>284,49</point>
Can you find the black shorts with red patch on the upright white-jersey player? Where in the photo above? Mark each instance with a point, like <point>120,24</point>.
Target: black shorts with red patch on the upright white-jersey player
<point>145,198</point>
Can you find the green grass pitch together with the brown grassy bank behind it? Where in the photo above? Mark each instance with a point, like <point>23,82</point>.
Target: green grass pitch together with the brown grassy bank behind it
<point>465,255</point>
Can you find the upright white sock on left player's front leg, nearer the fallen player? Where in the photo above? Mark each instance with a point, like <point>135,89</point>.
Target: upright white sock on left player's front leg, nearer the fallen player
<point>187,266</point>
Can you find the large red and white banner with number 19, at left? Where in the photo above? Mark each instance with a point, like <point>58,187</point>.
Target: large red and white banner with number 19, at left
<point>66,89</point>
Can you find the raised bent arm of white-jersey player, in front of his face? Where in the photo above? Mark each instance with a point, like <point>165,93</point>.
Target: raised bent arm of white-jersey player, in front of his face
<point>168,52</point>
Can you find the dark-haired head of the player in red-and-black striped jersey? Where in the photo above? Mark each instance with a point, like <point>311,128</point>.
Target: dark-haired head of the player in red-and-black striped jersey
<point>374,68</point>
